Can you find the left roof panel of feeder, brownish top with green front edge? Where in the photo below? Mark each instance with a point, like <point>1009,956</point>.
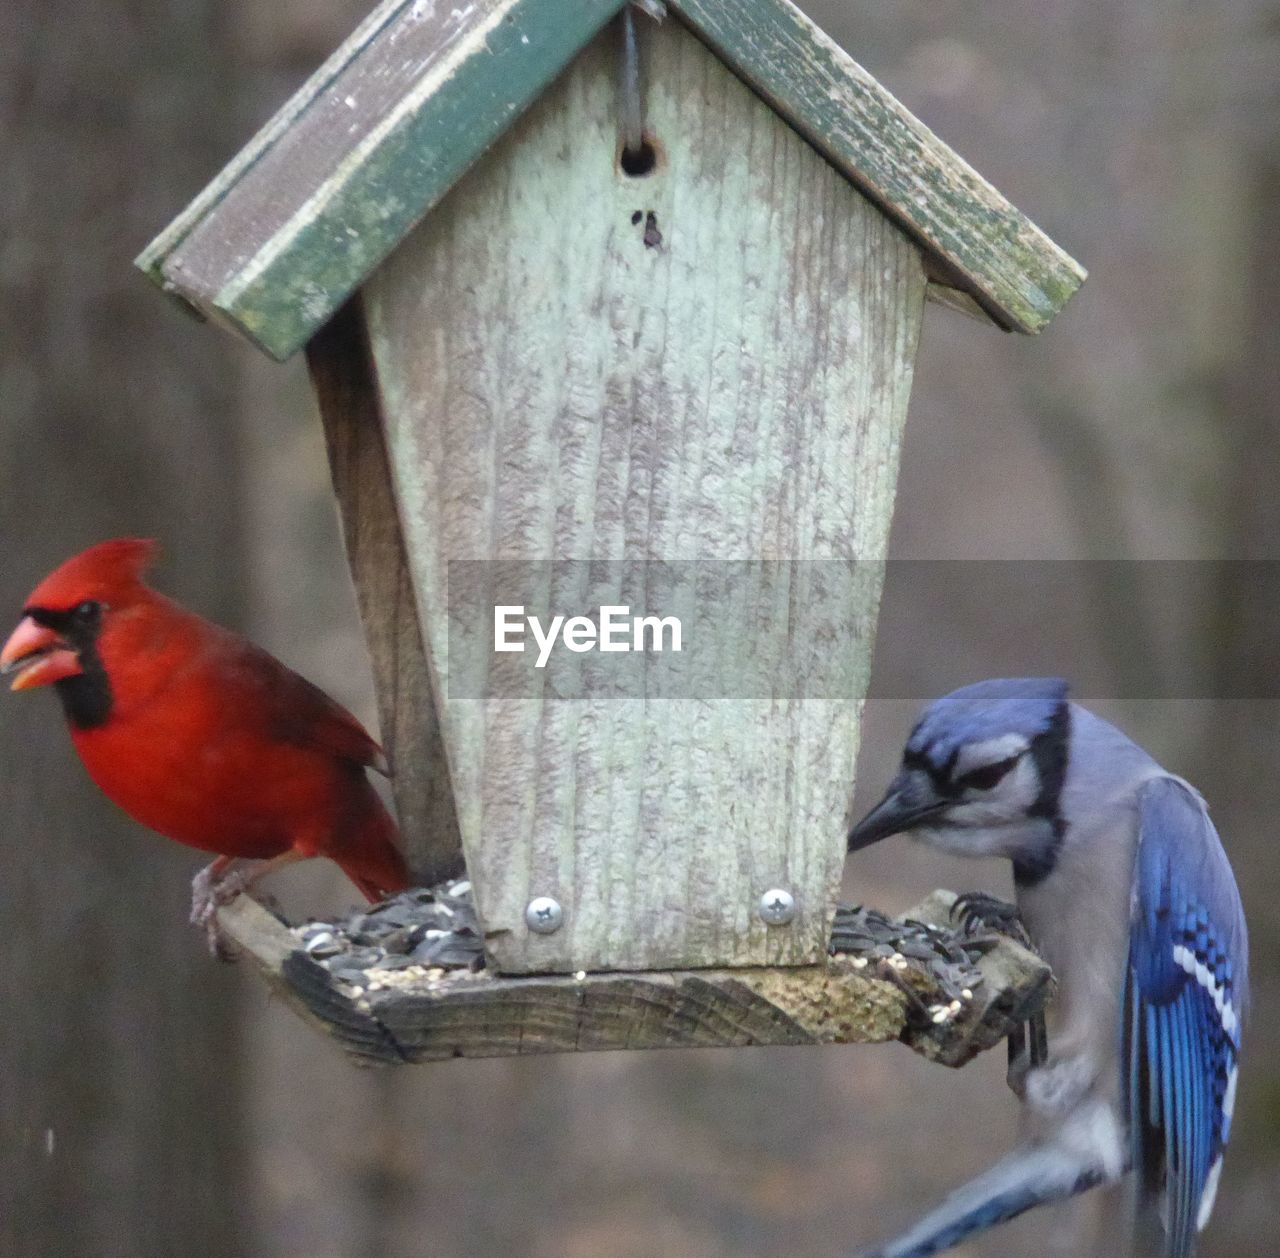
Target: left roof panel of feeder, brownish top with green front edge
<point>362,153</point>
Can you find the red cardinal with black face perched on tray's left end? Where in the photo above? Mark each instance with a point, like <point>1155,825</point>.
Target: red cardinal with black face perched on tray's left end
<point>202,735</point>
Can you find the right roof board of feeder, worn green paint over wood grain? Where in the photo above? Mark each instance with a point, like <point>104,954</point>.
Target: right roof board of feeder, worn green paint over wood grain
<point>1018,275</point>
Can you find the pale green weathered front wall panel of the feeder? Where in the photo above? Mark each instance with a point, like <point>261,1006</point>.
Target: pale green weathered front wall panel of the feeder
<point>557,388</point>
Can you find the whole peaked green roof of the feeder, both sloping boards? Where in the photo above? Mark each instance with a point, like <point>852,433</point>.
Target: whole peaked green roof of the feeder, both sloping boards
<point>392,121</point>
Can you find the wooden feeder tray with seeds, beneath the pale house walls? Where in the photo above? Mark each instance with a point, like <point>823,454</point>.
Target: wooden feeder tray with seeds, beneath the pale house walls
<point>860,995</point>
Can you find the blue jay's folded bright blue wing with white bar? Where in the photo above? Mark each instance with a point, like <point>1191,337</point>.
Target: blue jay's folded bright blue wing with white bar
<point>1186,996</point>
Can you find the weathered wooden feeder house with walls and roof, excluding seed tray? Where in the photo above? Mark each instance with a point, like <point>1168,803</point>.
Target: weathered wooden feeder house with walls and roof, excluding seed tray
<point>607,322</point>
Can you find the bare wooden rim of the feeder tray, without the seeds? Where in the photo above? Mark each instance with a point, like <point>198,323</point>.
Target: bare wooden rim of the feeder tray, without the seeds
<point>461,1014</point>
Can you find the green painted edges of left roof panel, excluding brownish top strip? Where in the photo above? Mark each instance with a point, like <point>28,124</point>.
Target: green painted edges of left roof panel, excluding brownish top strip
<point>295,285</point>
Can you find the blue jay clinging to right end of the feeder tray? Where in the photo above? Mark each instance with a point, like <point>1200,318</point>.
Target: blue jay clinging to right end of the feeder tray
<point>1123,885</point>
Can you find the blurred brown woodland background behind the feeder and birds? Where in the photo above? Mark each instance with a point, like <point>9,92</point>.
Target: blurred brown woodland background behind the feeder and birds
<point>154,1104</point>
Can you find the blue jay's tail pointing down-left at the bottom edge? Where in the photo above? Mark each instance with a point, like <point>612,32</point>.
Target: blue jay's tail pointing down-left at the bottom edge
<point>1030,1177</point>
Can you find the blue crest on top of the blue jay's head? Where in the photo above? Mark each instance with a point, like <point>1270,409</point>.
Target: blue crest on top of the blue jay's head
<point>985,711</point>
